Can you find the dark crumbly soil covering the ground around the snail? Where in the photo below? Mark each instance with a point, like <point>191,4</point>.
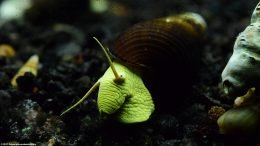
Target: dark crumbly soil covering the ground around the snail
<point>71,62</point>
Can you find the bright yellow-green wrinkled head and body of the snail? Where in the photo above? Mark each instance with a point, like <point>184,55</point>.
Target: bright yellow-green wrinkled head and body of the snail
<point>131,96</point>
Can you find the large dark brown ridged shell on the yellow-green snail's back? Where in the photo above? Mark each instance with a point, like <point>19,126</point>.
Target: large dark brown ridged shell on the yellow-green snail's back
<point>164,51</point>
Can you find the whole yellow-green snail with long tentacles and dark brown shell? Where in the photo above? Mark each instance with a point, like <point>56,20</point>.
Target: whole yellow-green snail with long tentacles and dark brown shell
<point>142,54</point>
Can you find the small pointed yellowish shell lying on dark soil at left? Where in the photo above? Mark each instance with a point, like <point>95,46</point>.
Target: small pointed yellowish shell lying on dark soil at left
<point>30,66</point>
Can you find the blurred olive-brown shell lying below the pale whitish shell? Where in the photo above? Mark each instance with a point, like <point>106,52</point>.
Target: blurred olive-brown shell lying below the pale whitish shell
<point>244,117</point>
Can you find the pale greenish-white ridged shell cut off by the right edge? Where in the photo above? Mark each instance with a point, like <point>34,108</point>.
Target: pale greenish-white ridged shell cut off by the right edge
<point>242,70</point>
